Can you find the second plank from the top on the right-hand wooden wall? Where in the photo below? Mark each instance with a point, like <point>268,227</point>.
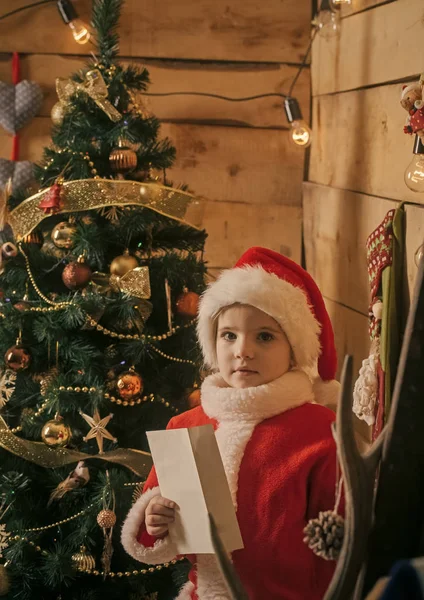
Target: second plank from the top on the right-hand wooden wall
<point>360,145</point>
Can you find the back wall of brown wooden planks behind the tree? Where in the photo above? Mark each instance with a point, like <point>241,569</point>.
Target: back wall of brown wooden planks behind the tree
<point>236,155</point>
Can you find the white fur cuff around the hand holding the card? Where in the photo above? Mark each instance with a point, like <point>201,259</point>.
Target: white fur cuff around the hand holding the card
<point>164,550</point>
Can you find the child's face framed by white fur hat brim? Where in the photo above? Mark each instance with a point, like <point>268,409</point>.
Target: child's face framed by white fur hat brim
<point>251,347</point>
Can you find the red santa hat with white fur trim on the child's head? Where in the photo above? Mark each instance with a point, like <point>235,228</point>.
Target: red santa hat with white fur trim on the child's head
<point>282,289</point>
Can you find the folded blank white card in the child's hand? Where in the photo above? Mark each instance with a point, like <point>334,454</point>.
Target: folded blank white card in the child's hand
<point>190,472</point>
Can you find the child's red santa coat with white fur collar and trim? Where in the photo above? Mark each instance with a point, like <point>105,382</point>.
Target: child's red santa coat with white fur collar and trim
<point>280,459</point>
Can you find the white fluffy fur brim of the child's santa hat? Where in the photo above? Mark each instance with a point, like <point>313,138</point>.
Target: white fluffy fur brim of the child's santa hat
<point>286,303</point>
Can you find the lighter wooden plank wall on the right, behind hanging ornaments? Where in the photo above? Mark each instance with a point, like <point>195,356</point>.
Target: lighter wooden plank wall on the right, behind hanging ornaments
<point>360,154</point>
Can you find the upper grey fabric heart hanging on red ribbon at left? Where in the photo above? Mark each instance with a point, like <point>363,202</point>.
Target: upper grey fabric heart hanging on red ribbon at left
<point>19,104</point>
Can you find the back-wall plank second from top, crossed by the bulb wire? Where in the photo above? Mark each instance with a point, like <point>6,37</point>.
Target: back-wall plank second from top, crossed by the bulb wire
<point>231,80</point>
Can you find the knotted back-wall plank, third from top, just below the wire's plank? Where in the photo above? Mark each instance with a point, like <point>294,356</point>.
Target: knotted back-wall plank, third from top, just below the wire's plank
<point>222,163</point>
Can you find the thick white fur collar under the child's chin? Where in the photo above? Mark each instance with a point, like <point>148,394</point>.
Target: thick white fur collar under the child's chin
<point>254,404</point>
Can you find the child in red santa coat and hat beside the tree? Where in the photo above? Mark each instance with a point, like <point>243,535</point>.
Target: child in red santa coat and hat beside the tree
<point>264,328</point>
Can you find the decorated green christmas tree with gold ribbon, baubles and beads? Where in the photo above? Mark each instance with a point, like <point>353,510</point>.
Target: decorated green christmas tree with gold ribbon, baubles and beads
<point>102,267</point>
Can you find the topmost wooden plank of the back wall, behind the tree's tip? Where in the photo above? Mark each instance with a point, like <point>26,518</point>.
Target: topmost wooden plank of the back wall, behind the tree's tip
<point>272,31</point>
